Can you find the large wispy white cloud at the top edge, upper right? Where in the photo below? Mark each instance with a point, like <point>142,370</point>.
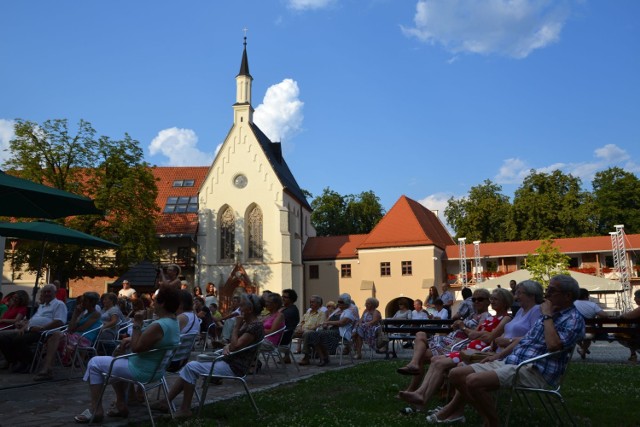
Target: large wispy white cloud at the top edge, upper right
<point>511,28</point>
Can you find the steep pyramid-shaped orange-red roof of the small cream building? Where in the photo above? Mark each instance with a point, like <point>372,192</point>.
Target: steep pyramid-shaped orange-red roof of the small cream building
<point>408,223</point>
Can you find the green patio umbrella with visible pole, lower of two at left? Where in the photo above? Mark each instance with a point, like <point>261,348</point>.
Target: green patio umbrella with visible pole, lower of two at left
<point>48,231</point>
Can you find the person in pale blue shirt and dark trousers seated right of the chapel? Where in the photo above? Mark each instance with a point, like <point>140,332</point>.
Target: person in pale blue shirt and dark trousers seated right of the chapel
<point>326,340</point>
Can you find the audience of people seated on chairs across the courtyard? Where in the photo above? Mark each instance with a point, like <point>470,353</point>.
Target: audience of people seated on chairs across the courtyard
<point>479,356</point>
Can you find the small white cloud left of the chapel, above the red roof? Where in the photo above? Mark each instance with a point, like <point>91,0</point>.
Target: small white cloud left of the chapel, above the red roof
<point>180,147</point>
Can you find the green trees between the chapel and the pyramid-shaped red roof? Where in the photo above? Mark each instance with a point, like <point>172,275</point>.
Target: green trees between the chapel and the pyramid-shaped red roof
<point>335,215</point>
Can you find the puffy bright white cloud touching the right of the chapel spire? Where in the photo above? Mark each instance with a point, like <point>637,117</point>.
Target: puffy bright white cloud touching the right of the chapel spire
<point>280,114</point>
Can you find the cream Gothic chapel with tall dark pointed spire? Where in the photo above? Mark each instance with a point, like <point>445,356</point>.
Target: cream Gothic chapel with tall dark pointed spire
<point>253,218</point>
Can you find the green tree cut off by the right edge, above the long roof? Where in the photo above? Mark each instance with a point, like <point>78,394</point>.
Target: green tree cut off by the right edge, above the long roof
<point>617,200</point>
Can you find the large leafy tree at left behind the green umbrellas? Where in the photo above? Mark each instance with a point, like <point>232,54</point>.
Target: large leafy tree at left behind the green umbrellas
<point>112,172</point>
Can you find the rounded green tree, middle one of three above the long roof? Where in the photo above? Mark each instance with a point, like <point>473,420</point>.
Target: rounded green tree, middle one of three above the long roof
<point>552,205</point>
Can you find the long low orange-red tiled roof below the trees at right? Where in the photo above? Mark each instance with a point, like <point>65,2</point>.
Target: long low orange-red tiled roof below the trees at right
<point>567,246</point>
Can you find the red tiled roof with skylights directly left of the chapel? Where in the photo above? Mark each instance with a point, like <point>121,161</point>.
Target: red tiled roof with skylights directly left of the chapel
<point>177,223</point>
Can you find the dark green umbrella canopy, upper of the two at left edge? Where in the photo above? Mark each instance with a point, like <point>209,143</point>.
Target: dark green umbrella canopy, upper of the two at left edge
<point>23,198</point>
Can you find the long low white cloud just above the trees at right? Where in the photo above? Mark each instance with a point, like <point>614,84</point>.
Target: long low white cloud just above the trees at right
<point>514,170</point>
